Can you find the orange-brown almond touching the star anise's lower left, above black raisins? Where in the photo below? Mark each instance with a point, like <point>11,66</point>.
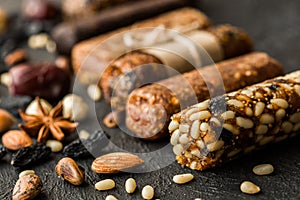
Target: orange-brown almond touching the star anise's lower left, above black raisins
<point>16,139</point>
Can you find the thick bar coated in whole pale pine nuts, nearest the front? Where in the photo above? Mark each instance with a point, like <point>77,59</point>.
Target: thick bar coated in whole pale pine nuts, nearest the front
<point>222,128</point>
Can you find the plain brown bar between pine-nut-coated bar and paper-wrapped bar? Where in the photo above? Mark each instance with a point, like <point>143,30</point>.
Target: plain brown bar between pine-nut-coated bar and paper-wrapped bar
<point>149,108</point>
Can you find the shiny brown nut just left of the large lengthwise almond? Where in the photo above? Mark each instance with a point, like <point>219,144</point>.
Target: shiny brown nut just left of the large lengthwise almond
<point>68,169</point>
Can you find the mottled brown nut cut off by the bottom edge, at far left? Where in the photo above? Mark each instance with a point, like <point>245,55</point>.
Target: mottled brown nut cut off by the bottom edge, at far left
<point>27,187</point>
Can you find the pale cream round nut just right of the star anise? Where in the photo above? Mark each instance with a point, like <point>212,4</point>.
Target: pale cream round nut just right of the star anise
<point>74,107</point>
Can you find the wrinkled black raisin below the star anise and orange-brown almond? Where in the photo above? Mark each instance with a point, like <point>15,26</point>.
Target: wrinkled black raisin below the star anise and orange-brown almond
<point>29,155</point>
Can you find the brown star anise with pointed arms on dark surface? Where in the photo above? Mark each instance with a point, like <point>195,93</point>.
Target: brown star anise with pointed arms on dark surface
<point>45,123</point>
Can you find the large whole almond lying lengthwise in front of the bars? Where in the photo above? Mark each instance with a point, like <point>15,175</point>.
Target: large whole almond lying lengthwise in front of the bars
<point>115,162</point>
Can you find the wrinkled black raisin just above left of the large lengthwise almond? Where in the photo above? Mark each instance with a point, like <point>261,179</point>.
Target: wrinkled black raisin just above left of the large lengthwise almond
<point>82,148</point>
